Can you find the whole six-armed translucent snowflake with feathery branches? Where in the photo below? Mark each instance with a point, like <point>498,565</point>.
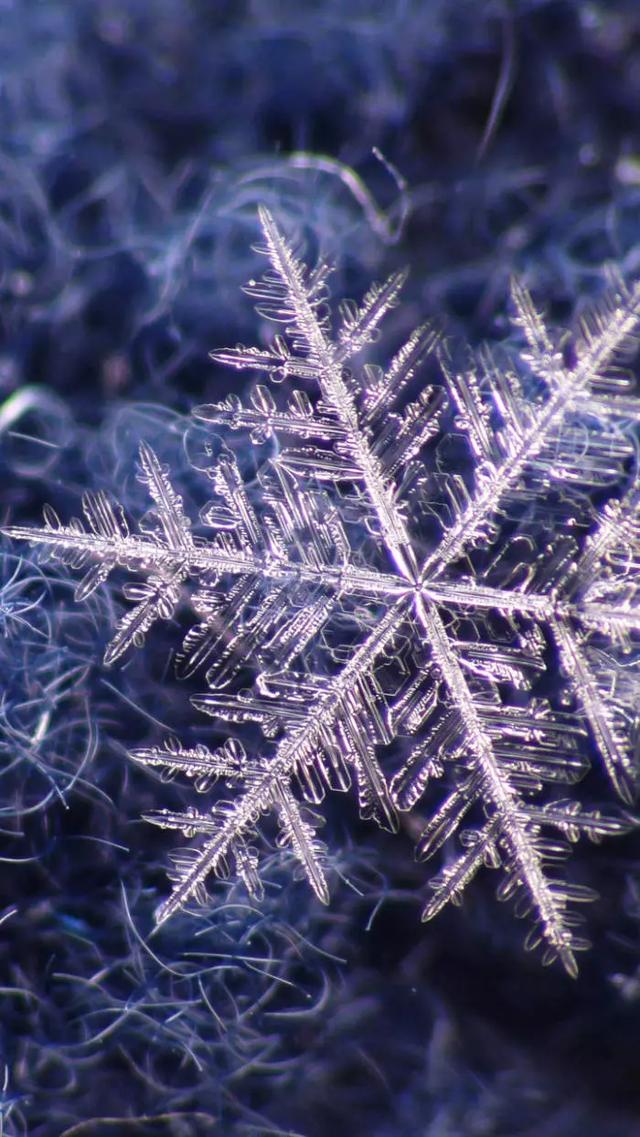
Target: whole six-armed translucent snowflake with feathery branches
<point>389,619</point>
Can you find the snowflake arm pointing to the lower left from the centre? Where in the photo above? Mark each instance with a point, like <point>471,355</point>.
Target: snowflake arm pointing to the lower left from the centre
<point>307,754</point>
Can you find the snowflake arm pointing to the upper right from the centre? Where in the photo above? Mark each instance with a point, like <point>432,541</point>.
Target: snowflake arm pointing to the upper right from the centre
<point>531,438</point>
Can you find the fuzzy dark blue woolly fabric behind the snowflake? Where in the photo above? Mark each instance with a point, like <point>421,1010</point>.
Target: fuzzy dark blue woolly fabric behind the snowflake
<point>136,143</point>
